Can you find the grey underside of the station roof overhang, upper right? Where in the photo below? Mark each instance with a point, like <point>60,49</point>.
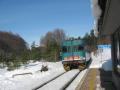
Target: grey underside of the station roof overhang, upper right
<point>111,20</point>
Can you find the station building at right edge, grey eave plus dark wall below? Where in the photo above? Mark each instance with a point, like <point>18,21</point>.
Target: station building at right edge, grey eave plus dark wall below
<point>111,27</point>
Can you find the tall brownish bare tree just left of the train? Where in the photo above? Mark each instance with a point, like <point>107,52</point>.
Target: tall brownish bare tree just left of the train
<point>52,41</point>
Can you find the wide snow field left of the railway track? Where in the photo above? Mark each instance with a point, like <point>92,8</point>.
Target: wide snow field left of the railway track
<point>31,80</point>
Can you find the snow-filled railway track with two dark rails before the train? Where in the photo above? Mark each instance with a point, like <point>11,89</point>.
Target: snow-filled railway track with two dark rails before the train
<point>60,82</point>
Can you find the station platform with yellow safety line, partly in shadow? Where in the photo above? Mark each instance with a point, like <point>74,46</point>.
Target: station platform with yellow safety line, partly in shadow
<point>97,79</point>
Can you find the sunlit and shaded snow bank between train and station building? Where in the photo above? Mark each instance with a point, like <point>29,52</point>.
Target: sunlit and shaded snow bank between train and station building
<point>102,59</point>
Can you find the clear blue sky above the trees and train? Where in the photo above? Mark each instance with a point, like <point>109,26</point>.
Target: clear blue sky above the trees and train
<point>32,19</point>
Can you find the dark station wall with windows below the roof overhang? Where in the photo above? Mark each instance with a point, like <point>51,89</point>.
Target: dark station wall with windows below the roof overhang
<point>116,57</point>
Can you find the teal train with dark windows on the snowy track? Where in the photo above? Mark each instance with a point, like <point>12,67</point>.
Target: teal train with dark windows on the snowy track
<point>74,54</point>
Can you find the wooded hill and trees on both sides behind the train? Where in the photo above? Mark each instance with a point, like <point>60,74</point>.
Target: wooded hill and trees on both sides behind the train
<point>15,51</point>
